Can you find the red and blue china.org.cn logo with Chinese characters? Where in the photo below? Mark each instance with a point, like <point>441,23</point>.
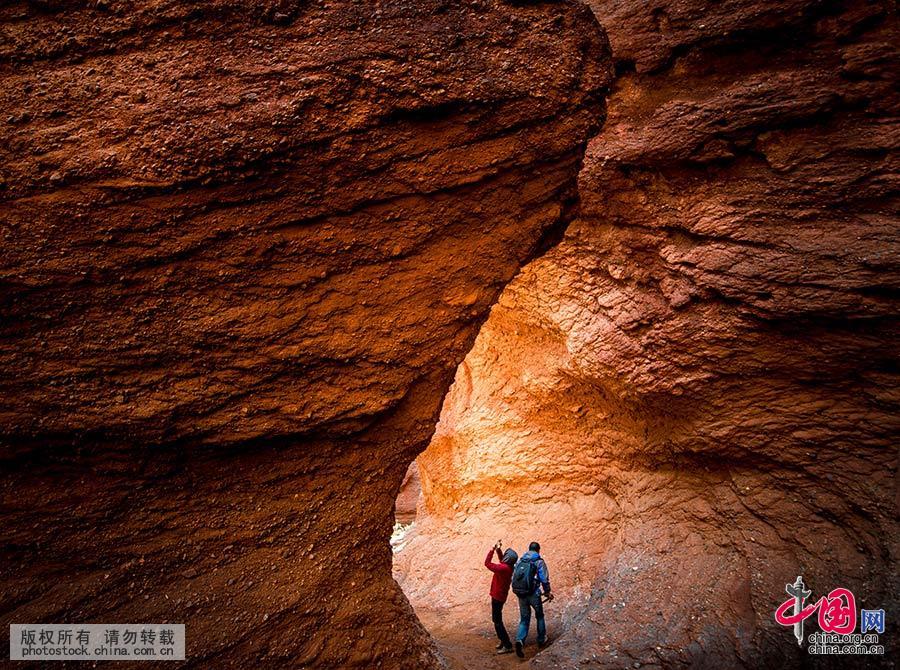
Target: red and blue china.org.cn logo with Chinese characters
<point>837,621</point>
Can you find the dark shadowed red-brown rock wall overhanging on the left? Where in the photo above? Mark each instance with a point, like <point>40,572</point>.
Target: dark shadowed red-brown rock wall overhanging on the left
<point>245,248</point>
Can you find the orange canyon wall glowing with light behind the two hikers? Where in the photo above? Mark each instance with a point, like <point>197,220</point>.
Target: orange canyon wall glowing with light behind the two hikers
<point>693,398</point>
